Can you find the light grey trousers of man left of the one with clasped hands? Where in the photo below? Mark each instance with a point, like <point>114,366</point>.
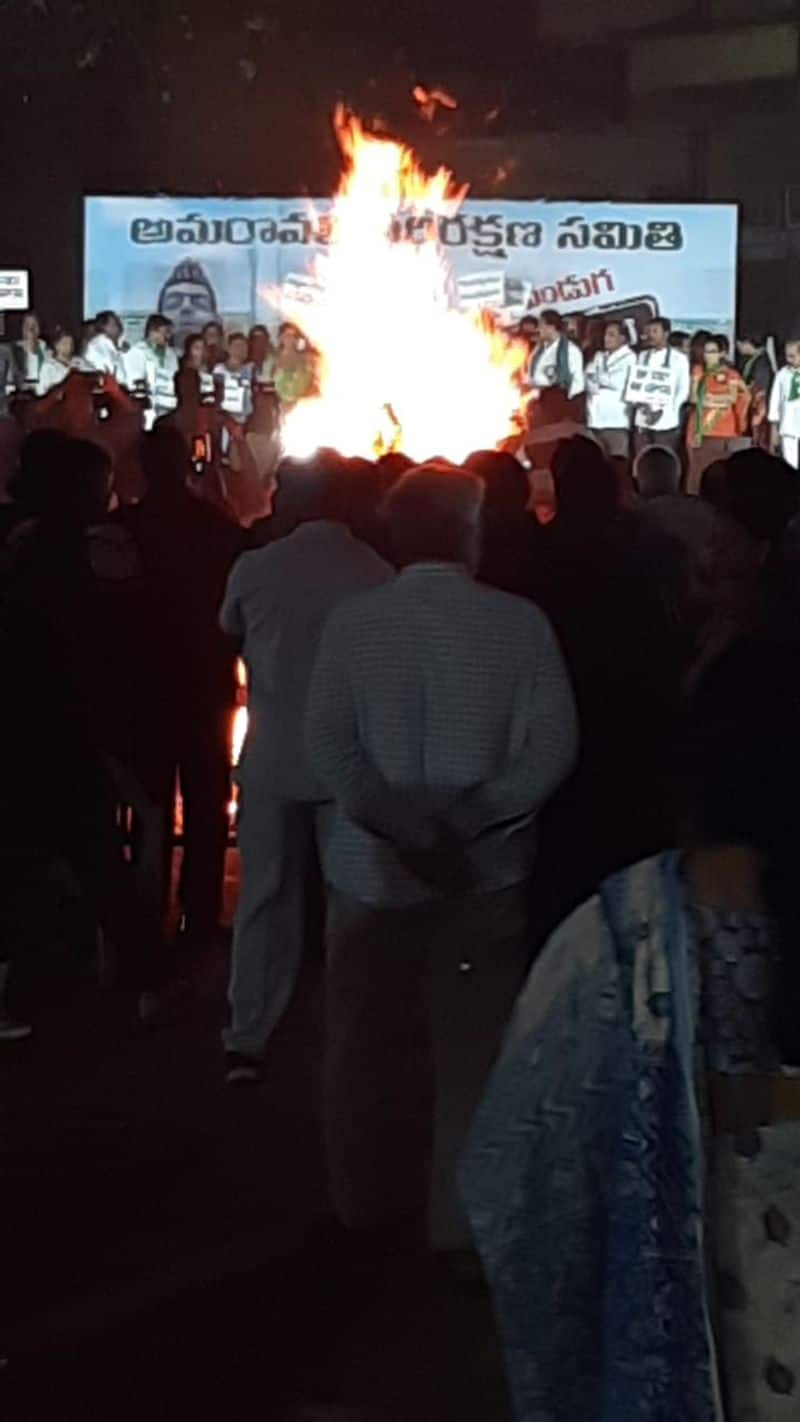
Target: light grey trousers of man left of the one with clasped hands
<point>278,857</point>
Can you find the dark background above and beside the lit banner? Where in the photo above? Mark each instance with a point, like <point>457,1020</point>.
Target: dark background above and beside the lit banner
<point>235,97</point>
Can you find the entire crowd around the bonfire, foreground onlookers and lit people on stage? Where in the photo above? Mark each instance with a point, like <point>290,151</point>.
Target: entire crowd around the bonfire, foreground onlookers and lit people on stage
<point>526,730</point>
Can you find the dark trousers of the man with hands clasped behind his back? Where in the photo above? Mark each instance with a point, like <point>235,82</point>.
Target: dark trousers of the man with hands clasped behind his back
<point>417,1002</point>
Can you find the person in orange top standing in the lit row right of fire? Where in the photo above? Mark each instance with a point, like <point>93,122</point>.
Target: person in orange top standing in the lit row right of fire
<point>718,420</point>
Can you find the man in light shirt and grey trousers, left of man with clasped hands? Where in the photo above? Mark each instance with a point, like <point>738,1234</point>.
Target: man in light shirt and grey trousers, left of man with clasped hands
<point>276,605</point>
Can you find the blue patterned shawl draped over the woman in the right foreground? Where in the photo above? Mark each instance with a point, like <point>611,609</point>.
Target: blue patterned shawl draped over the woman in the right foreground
<point>583,1177</point>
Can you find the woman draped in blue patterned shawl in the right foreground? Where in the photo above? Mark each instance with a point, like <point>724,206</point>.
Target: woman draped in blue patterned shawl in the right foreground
<point>642,1094</point>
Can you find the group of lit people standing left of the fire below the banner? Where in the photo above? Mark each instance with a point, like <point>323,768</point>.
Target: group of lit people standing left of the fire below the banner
<point>225,393</point>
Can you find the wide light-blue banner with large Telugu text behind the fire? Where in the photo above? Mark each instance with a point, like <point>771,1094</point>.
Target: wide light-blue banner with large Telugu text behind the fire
<point>197,258</point>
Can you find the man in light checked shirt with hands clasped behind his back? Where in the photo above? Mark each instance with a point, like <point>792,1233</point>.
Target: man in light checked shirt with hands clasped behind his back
<point>441,720</point>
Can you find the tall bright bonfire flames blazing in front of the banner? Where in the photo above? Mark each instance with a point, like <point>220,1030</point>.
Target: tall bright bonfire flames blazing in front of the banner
<point>401,368</point>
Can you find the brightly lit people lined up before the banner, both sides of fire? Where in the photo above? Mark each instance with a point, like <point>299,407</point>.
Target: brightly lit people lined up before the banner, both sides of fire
<point>630,387</point>
